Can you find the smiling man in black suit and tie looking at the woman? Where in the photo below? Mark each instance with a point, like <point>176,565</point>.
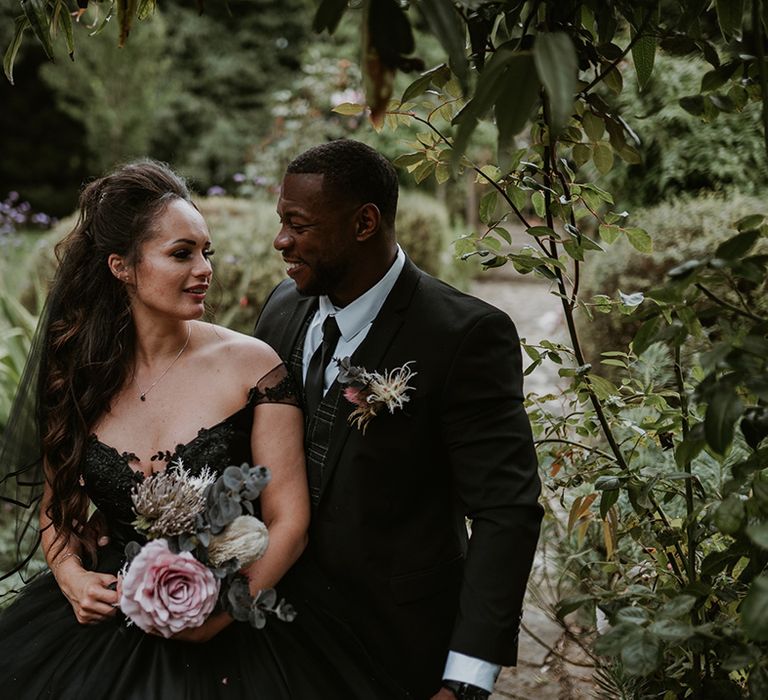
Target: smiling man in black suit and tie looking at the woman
<point>439,610</point>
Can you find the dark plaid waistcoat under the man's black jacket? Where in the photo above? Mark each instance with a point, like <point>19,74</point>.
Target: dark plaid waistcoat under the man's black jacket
<point>317,428</point>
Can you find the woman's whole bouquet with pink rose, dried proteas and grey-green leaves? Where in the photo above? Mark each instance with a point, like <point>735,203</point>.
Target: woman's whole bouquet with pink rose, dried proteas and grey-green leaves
<point>201,532</point>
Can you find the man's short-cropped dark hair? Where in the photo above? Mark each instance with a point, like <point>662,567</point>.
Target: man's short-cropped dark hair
<point>355,171</point>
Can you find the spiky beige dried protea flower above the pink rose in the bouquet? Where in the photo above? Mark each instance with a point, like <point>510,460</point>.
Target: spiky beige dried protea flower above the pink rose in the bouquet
<point>167,504</point>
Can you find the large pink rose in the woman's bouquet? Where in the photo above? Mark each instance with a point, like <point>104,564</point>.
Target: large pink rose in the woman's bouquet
<point>166,592</point>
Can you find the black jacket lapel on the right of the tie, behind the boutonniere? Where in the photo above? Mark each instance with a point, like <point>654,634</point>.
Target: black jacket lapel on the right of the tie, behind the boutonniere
<point>370,354</point>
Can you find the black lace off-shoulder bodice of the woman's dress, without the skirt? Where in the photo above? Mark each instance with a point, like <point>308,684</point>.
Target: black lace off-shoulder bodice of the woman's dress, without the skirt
<point>109,478</point>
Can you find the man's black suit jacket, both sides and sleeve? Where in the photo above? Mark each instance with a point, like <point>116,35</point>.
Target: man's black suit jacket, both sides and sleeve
<point>390,529</point>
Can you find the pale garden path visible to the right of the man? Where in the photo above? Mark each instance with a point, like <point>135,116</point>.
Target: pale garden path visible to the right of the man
<point>542,673</point>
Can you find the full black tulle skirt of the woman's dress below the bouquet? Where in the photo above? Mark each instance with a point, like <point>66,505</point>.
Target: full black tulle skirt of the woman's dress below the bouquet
<point>46,653</point>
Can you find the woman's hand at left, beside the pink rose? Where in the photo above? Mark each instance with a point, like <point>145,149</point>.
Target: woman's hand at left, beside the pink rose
<point>88,592</point>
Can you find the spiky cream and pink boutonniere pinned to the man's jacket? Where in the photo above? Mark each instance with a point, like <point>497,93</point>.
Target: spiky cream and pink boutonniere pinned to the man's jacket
<point>370,392</point>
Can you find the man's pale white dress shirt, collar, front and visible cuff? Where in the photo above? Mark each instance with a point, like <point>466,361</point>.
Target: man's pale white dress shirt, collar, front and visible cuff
<point>355,320</point>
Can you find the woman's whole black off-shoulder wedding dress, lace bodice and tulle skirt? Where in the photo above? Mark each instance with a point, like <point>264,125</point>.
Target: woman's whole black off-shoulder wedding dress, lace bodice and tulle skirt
<point>46,653</point>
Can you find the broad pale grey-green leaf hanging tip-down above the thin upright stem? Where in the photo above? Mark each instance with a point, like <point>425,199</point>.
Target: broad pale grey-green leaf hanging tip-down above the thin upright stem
<point>557,66</point>
